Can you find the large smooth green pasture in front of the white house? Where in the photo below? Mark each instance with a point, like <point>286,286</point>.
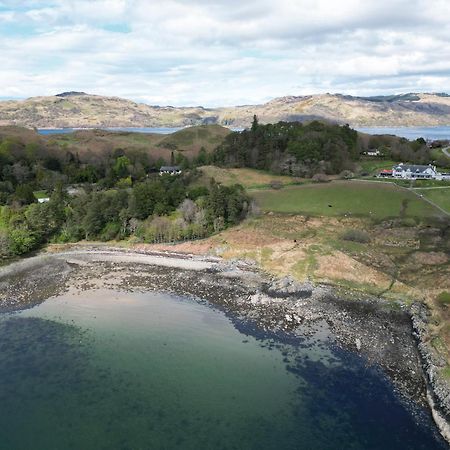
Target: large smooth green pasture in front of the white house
<point>349,198</point>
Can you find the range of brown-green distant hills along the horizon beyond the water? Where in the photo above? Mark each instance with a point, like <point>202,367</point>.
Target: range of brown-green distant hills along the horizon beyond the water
<point>78,109</point>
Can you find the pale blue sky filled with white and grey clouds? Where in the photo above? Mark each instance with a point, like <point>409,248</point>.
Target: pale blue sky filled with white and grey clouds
<point>225,52</point>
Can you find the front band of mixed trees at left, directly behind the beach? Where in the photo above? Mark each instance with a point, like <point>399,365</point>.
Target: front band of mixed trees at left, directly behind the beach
<point>162,209</point>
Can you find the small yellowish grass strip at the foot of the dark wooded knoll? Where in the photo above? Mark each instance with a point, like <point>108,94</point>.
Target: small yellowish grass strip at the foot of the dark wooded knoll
<point>249,178</point>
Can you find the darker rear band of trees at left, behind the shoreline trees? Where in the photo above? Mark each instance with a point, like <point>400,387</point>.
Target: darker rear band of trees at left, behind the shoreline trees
<point>32,166</point>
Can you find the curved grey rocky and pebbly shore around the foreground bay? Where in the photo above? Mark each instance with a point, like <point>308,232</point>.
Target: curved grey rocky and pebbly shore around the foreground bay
<point>387,335</point>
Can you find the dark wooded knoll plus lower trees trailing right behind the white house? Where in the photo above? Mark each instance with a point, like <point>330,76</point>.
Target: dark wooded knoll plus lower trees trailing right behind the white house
<point>305,150</point>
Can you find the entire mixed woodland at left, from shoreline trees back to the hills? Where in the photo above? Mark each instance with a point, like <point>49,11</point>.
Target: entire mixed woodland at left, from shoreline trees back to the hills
<point>117,196</point>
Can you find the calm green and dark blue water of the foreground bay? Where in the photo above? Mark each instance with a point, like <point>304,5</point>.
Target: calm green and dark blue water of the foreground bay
<point>111,370</point>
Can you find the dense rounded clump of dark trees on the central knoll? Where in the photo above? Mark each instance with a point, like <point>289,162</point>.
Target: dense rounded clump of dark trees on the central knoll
<point>291,148</point>
